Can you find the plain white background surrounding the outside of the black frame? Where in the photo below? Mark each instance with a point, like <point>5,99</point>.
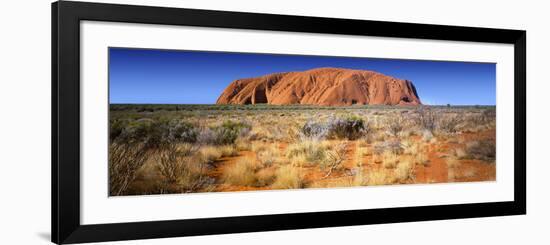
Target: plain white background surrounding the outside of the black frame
<point>25,121</point>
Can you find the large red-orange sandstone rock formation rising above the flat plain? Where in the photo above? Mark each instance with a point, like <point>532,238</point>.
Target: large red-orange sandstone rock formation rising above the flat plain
<point>321,86</point>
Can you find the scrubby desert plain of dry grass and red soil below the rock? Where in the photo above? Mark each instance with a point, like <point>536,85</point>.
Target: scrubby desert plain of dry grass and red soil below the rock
<point>156,149</point>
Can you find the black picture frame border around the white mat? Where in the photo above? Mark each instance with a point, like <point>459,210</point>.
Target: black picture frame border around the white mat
<point>66,17</point>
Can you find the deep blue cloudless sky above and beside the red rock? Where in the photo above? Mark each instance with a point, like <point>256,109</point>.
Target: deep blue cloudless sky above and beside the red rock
<point>145,76</point>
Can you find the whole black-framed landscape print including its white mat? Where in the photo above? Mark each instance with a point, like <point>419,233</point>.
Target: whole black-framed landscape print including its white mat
<point>176,122</point>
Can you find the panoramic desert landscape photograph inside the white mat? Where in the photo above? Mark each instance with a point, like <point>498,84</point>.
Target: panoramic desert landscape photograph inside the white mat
<point>202,121</point>
